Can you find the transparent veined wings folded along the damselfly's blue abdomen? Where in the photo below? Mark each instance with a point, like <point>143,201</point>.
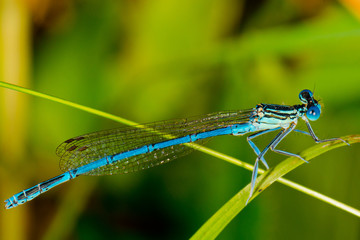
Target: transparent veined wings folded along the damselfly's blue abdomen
<point>88,148</point>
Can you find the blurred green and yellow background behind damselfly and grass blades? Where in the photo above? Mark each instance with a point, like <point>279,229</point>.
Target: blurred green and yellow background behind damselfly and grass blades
<point>155,60</point>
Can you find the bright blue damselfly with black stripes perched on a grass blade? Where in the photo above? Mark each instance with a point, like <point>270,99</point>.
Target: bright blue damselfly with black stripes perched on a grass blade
<point>132,149</point>
